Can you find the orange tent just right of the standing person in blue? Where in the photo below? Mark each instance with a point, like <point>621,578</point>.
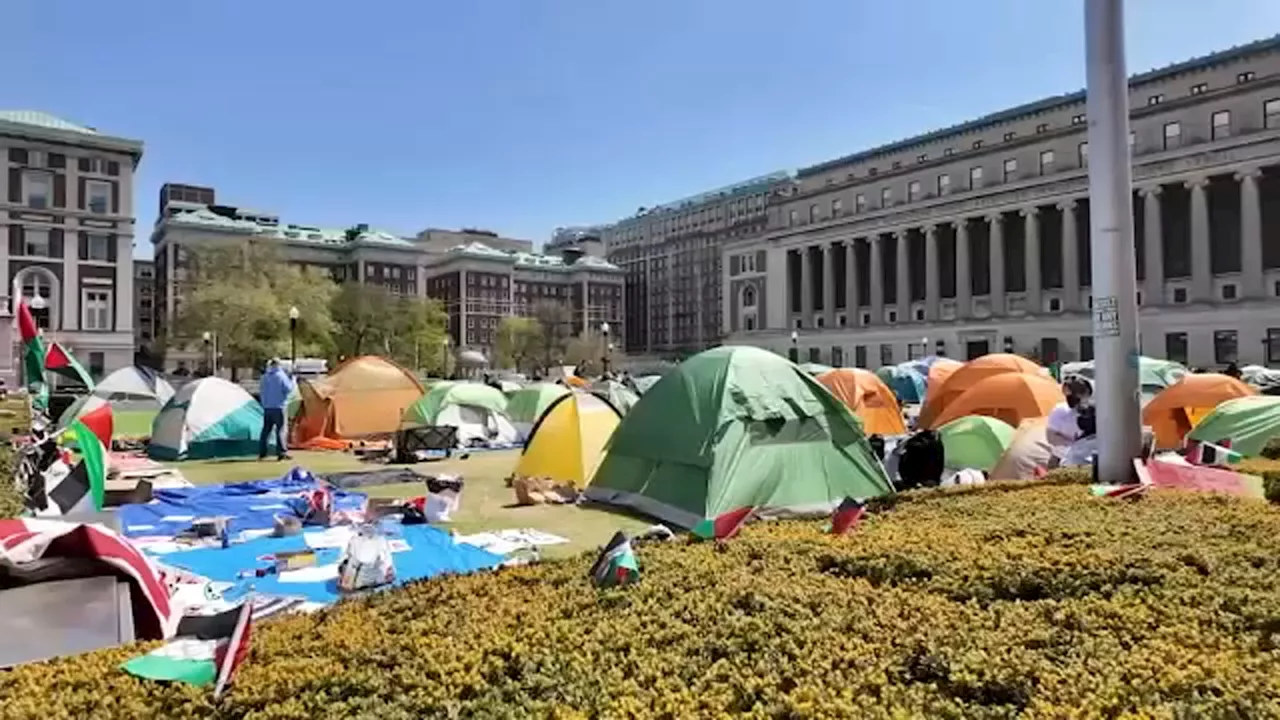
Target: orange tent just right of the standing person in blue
<point>365,397</point>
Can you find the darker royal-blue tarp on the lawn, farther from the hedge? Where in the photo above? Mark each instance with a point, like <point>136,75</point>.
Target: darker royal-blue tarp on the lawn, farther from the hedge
<point>252,505</point>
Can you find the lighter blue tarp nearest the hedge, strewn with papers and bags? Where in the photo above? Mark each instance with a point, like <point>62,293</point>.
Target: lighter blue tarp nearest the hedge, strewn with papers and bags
<point>431,553</point>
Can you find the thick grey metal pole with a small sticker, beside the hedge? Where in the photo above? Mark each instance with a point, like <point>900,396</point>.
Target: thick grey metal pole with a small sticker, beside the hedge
<point>1116,288</point>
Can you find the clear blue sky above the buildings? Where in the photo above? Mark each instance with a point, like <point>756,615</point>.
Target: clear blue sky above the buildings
<point>520,116</point>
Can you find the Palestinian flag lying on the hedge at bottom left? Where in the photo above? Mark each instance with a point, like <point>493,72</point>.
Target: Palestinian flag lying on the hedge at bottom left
<point>207,650</point>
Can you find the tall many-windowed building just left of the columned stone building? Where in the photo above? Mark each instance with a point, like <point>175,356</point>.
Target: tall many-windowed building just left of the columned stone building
<point>673,259</point>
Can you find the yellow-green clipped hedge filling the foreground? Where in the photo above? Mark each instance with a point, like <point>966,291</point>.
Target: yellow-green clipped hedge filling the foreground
<point>985,604</point>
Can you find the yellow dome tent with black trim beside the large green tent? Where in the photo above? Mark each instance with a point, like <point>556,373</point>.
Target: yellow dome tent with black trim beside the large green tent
<point>569,440</point>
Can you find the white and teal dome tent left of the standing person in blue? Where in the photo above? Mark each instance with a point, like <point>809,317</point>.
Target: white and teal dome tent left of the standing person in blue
<point>208,418</point>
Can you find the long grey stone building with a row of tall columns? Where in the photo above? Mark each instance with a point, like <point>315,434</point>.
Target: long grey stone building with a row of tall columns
<point>976,239</point>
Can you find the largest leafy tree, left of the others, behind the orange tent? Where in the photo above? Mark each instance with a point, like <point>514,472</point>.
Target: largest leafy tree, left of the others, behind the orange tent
<point>243,293</point>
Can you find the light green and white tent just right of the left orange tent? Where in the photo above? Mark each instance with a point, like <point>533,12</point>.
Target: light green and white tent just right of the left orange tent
<point>477,411</point>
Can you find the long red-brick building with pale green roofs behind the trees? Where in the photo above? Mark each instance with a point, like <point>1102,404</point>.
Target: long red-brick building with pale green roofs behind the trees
<point>479,276</point>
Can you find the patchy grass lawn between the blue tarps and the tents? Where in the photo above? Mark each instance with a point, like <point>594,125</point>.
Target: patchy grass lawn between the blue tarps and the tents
<point>487,503</point>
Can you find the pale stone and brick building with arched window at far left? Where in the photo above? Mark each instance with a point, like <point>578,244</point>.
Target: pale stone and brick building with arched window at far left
<point>67,209</point>
